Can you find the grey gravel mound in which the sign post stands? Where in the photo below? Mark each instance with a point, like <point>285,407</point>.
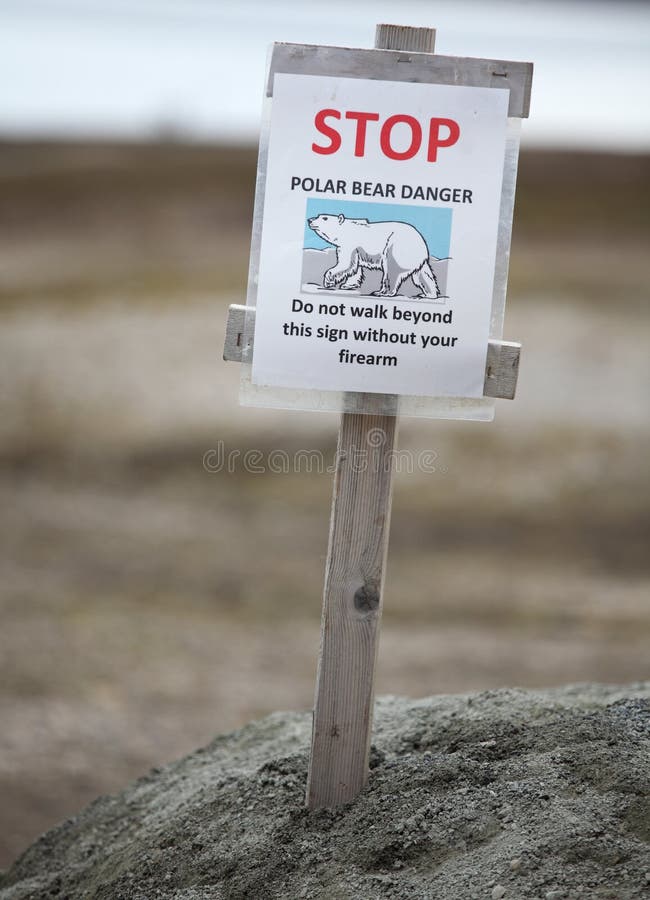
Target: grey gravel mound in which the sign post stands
<point>504,794</point>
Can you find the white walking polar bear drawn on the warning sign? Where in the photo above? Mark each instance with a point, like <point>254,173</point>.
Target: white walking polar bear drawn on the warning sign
<point>397,249</point>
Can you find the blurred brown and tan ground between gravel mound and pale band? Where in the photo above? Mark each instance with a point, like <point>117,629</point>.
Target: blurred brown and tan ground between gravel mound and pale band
<point>148,602</point>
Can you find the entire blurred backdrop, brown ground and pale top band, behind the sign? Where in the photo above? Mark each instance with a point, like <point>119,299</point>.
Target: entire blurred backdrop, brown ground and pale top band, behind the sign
<point>146,603</point>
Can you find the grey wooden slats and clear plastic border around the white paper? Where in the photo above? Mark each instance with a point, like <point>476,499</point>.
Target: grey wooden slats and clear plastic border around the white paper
<point>410,64</point>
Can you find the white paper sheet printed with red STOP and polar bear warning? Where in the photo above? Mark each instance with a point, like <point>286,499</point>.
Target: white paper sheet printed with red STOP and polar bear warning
<point>379,236</point>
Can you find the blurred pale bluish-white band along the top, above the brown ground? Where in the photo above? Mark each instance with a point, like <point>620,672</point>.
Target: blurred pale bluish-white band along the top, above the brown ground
<point>133,68</point>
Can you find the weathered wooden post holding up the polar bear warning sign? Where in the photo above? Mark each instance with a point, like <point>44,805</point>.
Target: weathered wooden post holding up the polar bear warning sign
<point>354,575</point>
